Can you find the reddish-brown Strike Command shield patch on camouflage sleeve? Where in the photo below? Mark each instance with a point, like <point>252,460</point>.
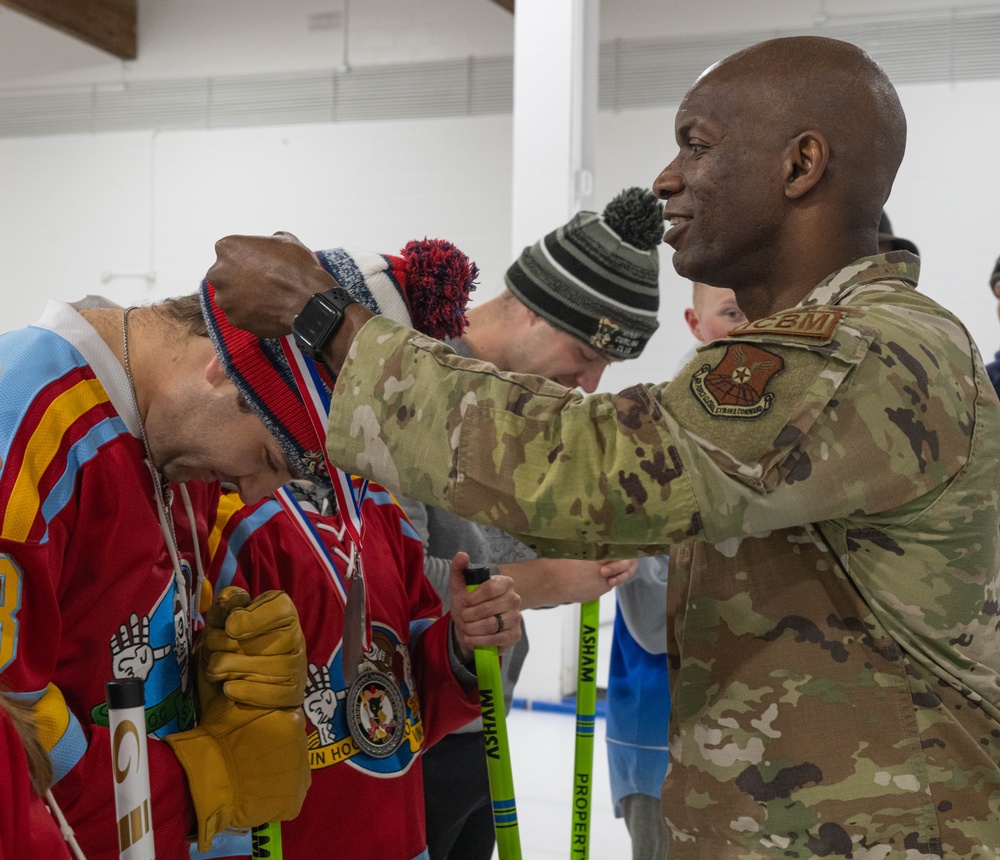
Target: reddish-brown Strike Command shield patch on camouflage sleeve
<point>736,386</point>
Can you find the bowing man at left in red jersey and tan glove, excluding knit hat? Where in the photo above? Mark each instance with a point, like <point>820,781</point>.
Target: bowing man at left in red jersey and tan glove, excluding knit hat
<point>117,429</point>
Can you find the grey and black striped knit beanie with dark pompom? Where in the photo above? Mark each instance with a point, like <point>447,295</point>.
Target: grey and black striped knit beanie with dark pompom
<point>597,277</point>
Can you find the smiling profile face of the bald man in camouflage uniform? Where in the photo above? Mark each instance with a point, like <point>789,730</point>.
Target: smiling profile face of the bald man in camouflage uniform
<point>723,187</point>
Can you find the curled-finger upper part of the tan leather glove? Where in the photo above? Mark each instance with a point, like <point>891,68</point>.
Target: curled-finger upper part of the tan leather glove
<point>255,649</point>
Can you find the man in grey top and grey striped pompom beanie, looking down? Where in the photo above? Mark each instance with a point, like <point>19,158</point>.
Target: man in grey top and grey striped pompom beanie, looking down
<point>583,296</point>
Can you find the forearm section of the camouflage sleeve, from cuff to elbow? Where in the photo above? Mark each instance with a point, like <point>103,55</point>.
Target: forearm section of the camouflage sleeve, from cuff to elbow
<point>569,476</point>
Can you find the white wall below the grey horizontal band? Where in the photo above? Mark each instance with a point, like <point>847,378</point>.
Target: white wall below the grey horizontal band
<point>75,207</point>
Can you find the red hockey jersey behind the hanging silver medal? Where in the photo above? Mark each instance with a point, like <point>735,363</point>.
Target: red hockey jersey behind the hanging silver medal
<point>359,804</point>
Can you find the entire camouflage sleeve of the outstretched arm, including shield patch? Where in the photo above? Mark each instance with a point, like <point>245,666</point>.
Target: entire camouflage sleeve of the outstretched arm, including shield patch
<point>761,431</point>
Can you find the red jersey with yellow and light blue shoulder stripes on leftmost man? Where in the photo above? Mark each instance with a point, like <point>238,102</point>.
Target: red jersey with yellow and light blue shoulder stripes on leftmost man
<point>87,589</point>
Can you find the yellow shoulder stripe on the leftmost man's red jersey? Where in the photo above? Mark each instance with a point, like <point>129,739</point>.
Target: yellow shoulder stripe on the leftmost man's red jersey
<point>45,443</point>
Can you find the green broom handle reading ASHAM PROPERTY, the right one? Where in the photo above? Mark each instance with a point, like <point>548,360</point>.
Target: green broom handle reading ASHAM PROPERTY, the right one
<point>586,708</point>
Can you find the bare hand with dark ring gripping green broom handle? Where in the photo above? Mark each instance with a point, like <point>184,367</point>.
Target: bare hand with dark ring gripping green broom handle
<point>476,615</point>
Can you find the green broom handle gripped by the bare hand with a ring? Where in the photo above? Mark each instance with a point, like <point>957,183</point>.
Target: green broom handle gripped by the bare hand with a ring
<point>495,734</point>
